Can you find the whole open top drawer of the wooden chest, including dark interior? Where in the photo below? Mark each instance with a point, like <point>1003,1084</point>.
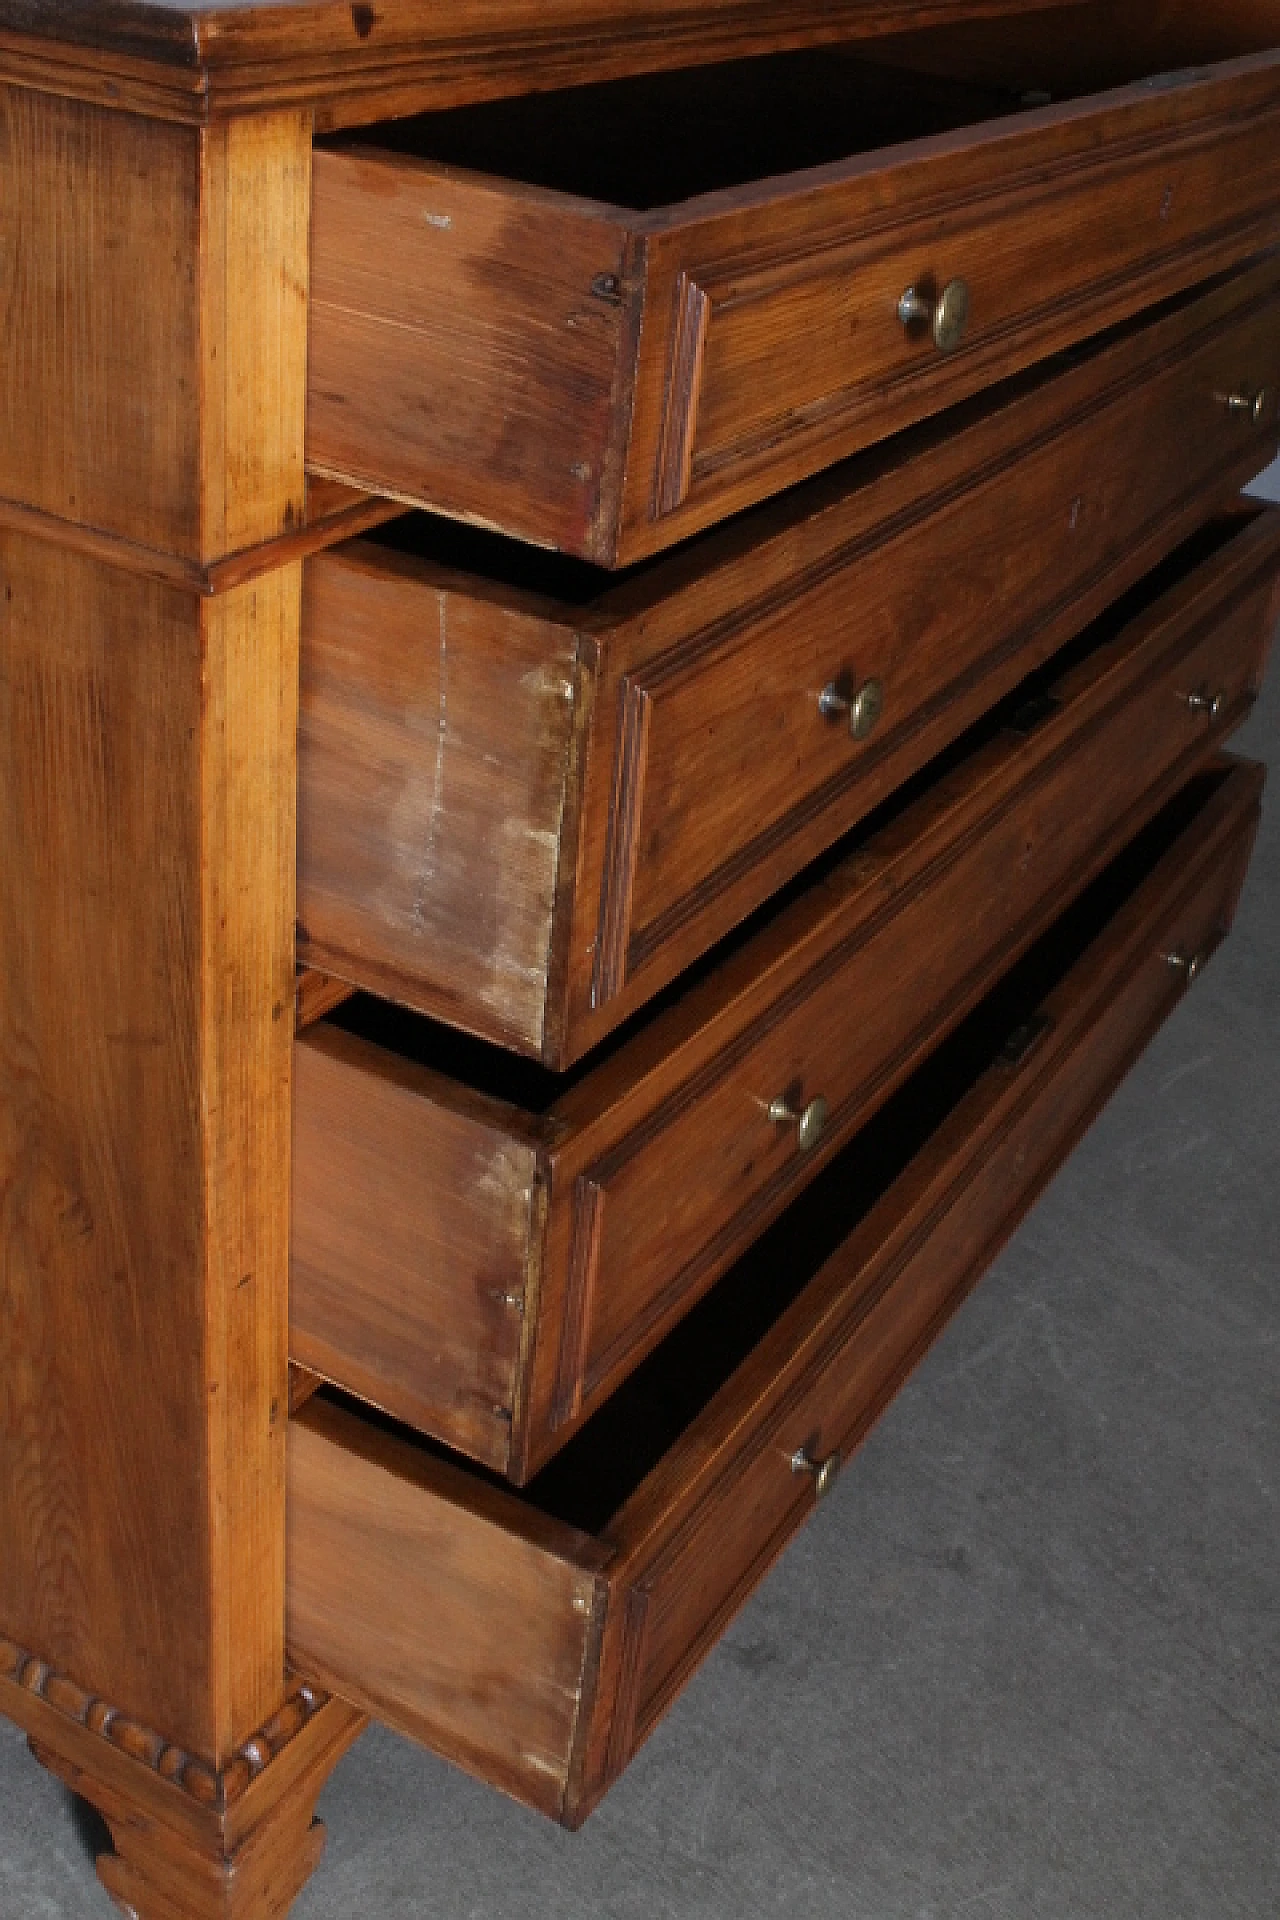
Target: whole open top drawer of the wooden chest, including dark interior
<point>607,318</point>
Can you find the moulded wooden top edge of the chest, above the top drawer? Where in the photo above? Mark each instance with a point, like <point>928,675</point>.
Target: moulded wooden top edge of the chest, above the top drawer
<point>199,62</point>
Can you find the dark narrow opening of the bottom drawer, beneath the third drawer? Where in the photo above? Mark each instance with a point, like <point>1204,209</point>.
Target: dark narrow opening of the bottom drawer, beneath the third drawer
<point>607,1462</point>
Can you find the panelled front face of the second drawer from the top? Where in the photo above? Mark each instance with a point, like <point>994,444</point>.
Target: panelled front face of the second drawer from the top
<point>726,750</point>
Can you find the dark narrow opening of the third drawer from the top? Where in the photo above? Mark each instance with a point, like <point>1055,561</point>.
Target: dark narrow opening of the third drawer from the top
<point>536,1092</point>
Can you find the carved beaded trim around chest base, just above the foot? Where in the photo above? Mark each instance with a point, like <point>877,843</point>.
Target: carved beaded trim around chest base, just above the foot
<point>201,1783</point>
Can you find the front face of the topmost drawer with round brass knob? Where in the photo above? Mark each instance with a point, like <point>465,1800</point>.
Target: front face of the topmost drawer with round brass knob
<point>799,360</point>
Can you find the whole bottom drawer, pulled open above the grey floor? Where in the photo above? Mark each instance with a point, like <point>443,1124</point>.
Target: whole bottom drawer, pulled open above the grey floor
<point>538,1637</point>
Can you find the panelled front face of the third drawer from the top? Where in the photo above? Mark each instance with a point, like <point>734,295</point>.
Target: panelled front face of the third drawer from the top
<point>851,1028</point>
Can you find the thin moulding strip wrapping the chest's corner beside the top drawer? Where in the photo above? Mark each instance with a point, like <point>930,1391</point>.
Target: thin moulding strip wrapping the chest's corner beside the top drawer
<point>189,577</point>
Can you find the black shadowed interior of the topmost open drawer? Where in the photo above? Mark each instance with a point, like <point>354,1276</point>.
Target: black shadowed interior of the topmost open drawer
<point>673,137</point>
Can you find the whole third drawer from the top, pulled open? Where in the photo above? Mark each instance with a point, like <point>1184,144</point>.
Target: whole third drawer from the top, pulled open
<point>486,1251</point>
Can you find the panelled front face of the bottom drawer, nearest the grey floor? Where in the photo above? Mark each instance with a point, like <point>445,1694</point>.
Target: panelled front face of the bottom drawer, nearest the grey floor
<point>709,1554</point>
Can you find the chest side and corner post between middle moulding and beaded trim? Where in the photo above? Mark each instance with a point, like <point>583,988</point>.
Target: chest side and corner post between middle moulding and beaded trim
<point>147,948</point>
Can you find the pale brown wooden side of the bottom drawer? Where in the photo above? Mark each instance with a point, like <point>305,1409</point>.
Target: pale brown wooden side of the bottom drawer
<point>437,1618</point>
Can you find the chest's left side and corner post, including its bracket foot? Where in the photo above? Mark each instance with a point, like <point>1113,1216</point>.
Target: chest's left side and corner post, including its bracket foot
<point>153,410</point>
